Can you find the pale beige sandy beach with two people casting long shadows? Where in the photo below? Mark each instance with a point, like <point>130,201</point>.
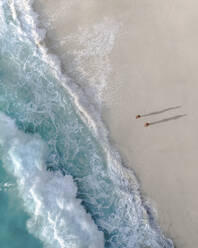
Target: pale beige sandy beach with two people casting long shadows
<point>140,57</point>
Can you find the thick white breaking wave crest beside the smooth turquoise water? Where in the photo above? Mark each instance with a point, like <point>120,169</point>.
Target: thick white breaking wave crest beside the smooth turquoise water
<point>57,216</point>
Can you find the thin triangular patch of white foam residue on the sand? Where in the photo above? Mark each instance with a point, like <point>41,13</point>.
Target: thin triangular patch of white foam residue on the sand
<point>89,53</point>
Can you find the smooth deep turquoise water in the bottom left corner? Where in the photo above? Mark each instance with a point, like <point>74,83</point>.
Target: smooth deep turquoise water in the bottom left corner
<point>13,232</point>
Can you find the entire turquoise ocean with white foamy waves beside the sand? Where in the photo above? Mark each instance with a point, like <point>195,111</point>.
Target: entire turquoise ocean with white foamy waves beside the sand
<point>62,185</point>
